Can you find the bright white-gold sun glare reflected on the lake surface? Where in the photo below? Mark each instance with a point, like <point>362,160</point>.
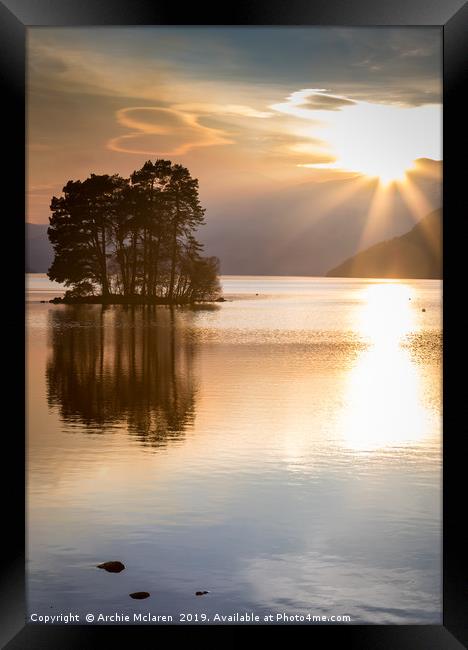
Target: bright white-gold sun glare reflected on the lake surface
<point>384,375</point>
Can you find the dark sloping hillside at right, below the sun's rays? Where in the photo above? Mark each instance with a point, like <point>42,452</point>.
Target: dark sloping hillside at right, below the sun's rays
<point>417,254</point>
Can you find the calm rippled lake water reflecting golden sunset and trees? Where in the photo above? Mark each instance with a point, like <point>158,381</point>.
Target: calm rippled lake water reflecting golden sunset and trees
<point>281,450</point>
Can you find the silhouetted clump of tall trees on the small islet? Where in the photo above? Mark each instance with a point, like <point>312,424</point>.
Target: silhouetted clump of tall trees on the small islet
<point>132,238</point>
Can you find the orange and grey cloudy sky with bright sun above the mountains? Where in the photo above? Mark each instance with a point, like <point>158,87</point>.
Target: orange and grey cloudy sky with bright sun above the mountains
<point>249,110</point>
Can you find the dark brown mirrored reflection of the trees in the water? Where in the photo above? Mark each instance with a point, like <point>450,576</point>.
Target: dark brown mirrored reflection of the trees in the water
<point>122,366</point>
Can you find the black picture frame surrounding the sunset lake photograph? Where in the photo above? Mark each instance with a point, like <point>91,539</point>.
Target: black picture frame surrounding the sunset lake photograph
<point>452,18</point>
